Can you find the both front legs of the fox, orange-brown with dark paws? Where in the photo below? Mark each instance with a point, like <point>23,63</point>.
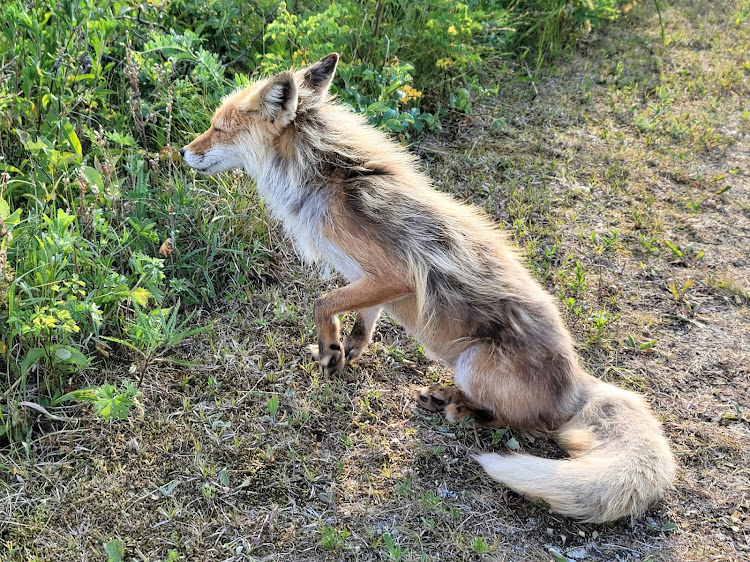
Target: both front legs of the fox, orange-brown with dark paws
<point>366,296</point>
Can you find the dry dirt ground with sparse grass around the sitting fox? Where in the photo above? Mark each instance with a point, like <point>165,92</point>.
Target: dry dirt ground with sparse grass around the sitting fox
<point>624,177</point>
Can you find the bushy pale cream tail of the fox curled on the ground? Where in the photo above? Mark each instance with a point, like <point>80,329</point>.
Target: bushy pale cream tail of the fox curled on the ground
<point>620,462</point>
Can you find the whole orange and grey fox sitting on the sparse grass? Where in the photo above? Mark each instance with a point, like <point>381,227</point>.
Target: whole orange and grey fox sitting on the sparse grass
<point>351,197</point>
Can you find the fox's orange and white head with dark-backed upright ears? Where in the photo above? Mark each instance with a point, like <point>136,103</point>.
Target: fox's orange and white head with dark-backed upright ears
<point>245,130</point>
